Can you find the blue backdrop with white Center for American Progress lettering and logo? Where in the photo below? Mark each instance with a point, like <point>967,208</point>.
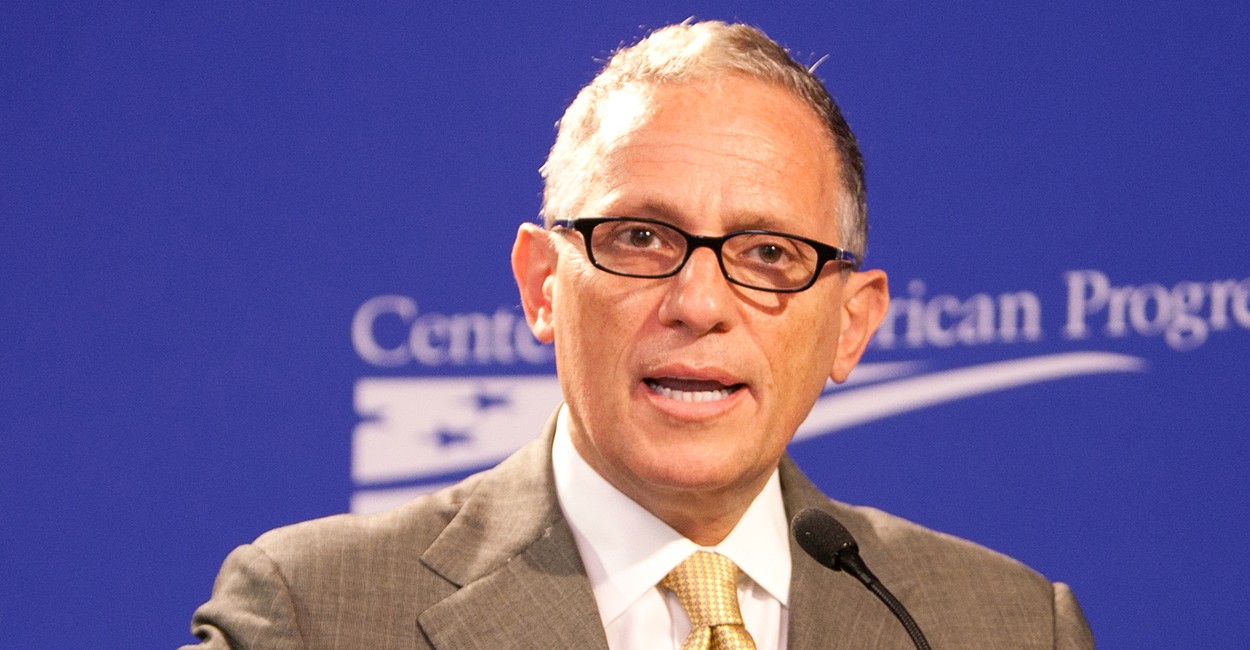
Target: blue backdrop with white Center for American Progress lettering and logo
<point>247,247</point>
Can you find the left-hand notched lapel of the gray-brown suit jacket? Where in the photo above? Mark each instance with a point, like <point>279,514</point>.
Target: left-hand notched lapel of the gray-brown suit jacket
<point>513,557</point>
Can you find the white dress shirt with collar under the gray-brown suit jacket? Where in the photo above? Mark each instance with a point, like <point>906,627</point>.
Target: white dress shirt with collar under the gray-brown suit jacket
<point>627,552</point>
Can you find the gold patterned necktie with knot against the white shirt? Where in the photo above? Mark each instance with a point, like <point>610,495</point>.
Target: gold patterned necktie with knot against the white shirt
<point>707,587</point>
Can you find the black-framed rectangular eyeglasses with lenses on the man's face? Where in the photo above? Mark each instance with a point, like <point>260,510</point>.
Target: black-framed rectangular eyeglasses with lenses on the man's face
<point>757,259</point>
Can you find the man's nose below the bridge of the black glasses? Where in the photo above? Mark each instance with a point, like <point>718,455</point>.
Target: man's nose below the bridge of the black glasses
<point>699,298</point>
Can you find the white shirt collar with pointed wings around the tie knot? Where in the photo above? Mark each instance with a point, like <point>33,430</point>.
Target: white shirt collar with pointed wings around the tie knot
<point>628,551</point>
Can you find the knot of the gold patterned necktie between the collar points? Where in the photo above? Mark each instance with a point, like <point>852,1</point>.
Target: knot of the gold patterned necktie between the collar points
<point>707,587</point>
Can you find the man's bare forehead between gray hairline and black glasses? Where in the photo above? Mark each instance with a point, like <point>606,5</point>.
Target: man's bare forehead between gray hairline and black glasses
<point>716,156</point>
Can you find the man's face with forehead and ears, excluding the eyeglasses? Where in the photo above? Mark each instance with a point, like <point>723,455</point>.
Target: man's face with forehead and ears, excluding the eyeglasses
<point>691,387</point>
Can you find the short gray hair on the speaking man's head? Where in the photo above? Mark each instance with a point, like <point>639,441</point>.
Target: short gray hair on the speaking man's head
<point>694,52</point>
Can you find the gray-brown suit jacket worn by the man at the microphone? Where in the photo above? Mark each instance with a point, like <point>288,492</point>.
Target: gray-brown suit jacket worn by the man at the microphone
<point>492,564</point>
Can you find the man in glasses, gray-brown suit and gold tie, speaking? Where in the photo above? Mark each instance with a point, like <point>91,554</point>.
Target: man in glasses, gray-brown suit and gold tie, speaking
<point>698,277</point>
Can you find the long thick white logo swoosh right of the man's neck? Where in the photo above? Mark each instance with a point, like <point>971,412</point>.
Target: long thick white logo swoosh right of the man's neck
<point>846,409</point>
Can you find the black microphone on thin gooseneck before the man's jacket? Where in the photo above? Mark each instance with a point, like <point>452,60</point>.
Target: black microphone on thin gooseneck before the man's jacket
<point>831,544</point>
